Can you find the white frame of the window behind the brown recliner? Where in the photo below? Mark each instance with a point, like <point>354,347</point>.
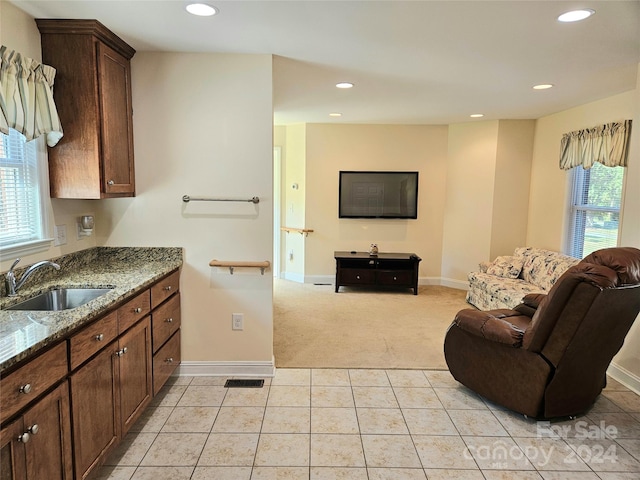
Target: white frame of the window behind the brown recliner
<point>576,190</point>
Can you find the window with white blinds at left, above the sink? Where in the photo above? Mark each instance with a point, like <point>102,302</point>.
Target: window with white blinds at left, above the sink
<point>22,225</point>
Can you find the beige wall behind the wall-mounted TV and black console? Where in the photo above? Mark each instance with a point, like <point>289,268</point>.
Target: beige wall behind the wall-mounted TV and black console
<point>331,148</point>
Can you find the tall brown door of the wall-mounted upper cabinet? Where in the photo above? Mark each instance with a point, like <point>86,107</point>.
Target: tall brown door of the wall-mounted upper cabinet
<point>117,129</point>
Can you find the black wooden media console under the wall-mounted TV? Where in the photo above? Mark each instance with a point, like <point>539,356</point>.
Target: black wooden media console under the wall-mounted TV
<point>383,269</point>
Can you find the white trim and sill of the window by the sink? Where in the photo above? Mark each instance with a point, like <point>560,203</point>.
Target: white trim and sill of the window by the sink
<point>45,241</point>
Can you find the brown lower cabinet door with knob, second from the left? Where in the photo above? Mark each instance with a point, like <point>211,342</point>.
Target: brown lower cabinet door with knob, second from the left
<point>48,452</point>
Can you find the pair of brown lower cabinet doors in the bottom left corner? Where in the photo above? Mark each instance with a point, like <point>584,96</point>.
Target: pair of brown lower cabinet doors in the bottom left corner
<point>38,444</point>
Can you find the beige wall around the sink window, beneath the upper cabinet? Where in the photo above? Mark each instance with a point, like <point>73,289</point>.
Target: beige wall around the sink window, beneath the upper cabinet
<point>18,31</point>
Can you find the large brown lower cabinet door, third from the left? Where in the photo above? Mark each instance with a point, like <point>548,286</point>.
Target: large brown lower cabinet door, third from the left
<point>95,410</point>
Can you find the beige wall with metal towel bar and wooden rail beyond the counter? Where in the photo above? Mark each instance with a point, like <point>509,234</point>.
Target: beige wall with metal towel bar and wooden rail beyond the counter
<point>203,127</point>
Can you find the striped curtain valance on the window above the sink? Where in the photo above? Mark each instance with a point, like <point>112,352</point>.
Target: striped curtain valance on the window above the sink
<point>26,97</point>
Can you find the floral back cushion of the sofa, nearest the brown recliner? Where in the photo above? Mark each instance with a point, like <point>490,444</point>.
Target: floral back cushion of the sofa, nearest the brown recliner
<point>543,267</point>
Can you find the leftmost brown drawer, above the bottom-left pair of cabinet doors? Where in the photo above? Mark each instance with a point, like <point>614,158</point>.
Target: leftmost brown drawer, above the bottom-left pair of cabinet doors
<point>25,384</point>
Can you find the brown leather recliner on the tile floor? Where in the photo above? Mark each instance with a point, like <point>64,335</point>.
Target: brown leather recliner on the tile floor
<point>548,357</point>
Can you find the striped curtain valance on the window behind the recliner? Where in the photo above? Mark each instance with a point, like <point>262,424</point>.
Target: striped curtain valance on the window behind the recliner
<point>607,144</point>
